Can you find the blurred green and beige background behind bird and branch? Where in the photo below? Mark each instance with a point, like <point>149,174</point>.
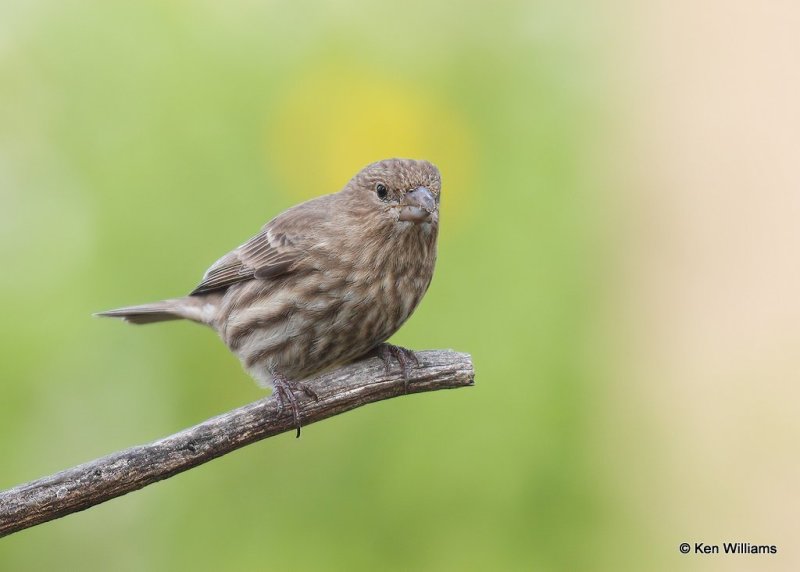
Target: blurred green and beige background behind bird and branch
<point>618,252</point>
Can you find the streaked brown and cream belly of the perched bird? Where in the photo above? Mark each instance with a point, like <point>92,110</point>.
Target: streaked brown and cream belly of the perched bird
<point>298,332</point>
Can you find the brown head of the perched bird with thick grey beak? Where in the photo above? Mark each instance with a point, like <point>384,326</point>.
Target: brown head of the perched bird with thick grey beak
<point>404,192</point>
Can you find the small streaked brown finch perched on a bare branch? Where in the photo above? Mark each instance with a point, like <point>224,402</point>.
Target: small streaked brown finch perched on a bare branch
<point>323,283</point>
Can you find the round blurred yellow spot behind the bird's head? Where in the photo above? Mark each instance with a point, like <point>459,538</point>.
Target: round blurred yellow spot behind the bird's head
<point>330,124</point>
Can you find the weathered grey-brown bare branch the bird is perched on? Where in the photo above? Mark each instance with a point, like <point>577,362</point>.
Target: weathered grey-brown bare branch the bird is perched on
<point>117,474</point>
